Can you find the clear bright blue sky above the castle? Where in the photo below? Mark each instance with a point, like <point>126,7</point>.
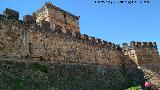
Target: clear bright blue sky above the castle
<point>117,23</point>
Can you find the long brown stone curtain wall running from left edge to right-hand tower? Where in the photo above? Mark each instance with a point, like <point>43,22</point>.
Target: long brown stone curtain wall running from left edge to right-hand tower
<point>26,38</point>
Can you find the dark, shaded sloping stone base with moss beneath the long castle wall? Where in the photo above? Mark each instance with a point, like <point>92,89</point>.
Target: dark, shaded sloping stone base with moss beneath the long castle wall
<point>19,74</point>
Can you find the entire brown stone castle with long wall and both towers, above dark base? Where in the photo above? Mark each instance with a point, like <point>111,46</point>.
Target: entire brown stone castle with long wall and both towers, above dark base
<point>53,34</point>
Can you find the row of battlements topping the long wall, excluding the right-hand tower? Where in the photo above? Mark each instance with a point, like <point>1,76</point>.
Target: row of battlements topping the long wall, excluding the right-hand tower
<point>30,19</point>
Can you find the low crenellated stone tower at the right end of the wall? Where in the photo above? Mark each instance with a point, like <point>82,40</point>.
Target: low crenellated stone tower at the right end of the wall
<point>141,52</point>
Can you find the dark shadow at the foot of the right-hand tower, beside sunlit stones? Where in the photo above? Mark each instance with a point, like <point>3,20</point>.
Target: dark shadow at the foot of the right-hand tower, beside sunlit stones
<point>133,76</point>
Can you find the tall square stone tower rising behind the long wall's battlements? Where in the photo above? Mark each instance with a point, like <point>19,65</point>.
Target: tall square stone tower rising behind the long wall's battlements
<point>59,19</point>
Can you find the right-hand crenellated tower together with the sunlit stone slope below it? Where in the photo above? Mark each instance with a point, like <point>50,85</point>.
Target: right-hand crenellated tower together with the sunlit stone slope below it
<point>145,54</point>
